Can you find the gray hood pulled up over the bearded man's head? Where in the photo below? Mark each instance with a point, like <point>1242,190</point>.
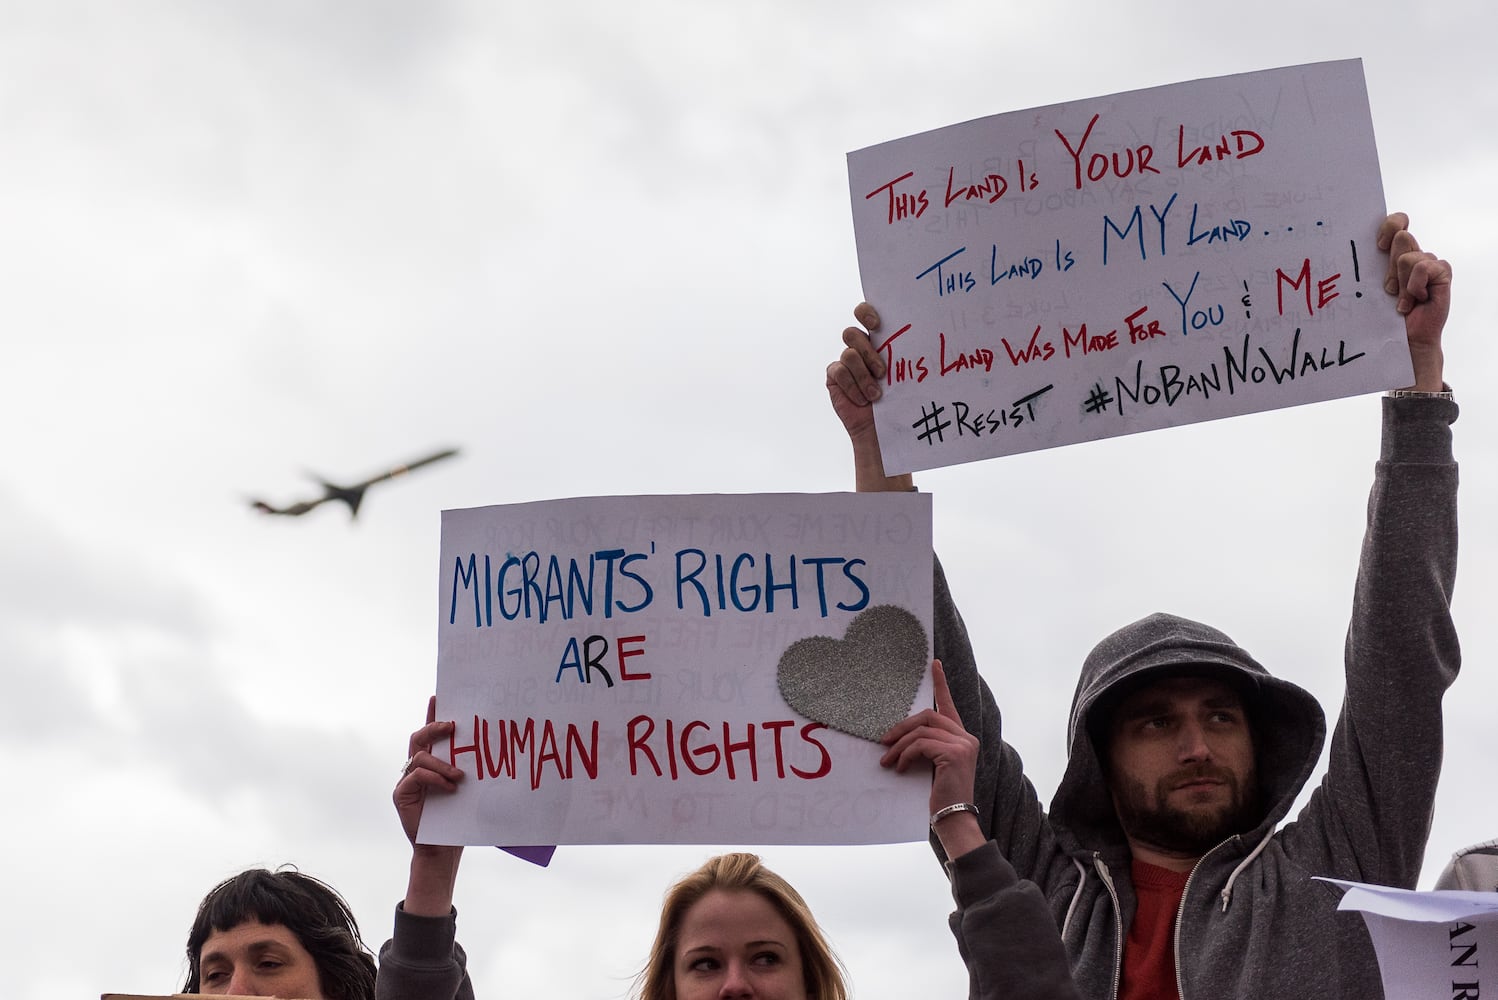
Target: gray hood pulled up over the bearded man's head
<point>1288,722</point>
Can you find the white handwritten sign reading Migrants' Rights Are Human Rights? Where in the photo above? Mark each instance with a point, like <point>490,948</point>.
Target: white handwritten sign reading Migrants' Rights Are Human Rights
<point>682,670</point>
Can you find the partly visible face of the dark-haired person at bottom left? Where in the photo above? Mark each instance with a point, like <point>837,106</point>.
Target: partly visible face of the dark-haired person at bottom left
<point>258,960</point>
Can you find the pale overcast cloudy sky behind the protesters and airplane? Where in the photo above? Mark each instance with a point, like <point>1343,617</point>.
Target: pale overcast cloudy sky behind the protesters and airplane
<point>604,249</point>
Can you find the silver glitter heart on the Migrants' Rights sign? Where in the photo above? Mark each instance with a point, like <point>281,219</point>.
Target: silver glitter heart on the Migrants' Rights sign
<point>864,683</point>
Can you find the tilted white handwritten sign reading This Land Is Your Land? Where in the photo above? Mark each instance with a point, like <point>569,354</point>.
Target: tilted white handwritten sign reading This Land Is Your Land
<point>1123,264</point>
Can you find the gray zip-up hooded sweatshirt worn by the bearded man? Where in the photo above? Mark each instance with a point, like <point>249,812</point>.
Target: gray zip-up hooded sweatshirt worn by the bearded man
<point>1253,923</point>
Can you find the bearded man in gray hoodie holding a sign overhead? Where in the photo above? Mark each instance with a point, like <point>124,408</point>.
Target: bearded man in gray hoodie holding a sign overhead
<point>1162,854</point>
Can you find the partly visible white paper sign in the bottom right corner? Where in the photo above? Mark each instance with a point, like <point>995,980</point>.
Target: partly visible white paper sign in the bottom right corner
<point>1430,944</point>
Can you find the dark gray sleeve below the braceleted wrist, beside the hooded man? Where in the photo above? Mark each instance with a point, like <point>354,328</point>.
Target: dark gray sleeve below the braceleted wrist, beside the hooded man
<point>1006,933</point>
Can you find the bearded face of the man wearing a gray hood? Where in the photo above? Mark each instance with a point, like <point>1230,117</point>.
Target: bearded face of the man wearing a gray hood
<point>1181,766</point>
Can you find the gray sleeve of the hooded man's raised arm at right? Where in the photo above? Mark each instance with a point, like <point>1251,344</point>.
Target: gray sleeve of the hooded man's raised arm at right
<point>1371,817</point>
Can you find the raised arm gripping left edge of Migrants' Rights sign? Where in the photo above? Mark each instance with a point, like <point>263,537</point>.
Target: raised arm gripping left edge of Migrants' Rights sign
<point>423,960</point>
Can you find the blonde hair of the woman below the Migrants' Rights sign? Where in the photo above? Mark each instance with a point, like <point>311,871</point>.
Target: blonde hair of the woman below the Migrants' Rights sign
<point>741,872</point>
